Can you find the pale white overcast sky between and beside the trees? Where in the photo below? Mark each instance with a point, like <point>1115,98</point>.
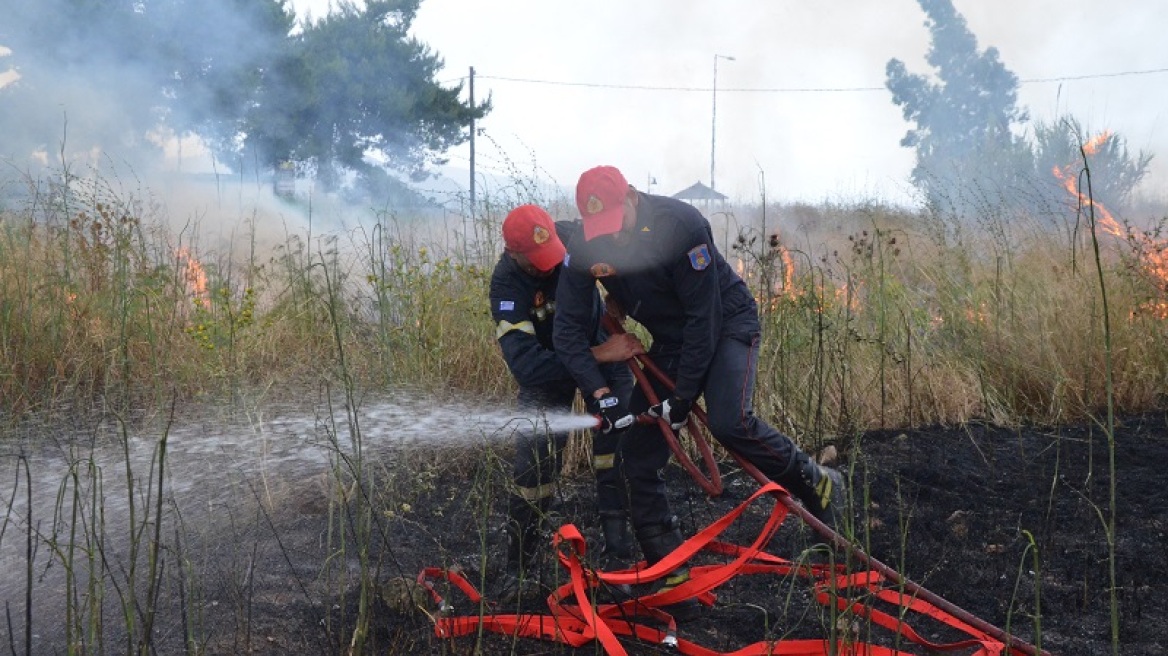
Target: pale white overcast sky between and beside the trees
<point>629,83</point>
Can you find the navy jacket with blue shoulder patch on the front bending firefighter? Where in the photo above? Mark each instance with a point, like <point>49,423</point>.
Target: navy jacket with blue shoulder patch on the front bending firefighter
<point>670,277</point>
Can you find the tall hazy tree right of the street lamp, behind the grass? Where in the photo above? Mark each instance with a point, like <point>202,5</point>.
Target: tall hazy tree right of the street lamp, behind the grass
<point>970,135</point>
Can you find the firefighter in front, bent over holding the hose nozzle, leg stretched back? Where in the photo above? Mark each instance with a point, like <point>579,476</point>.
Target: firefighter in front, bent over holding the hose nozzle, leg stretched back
<point>656,257</point>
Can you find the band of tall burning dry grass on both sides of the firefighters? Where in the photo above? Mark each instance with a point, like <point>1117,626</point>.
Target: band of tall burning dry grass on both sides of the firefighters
<point>874,317</point>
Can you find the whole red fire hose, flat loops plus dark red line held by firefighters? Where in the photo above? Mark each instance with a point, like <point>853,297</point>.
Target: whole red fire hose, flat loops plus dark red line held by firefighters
<point>576,619</point>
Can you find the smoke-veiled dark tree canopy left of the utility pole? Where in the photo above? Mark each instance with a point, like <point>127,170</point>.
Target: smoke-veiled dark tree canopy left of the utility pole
<point>352,92</point>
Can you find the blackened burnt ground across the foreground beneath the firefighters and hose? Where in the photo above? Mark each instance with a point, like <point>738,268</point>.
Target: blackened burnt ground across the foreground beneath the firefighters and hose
<point>954,510</point>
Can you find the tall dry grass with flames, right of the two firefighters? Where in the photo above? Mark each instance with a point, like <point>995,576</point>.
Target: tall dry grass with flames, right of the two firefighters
<point>903,320</point>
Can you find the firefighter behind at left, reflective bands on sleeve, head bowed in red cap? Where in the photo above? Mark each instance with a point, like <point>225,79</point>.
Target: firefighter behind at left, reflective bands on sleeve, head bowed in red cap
<point>524,306</point>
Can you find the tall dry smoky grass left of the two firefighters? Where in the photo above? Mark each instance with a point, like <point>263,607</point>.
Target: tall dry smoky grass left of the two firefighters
<point>105,304</point>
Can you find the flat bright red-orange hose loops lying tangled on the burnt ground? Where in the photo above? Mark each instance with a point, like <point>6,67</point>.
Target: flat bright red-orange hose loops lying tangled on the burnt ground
<point>574,619</point>
